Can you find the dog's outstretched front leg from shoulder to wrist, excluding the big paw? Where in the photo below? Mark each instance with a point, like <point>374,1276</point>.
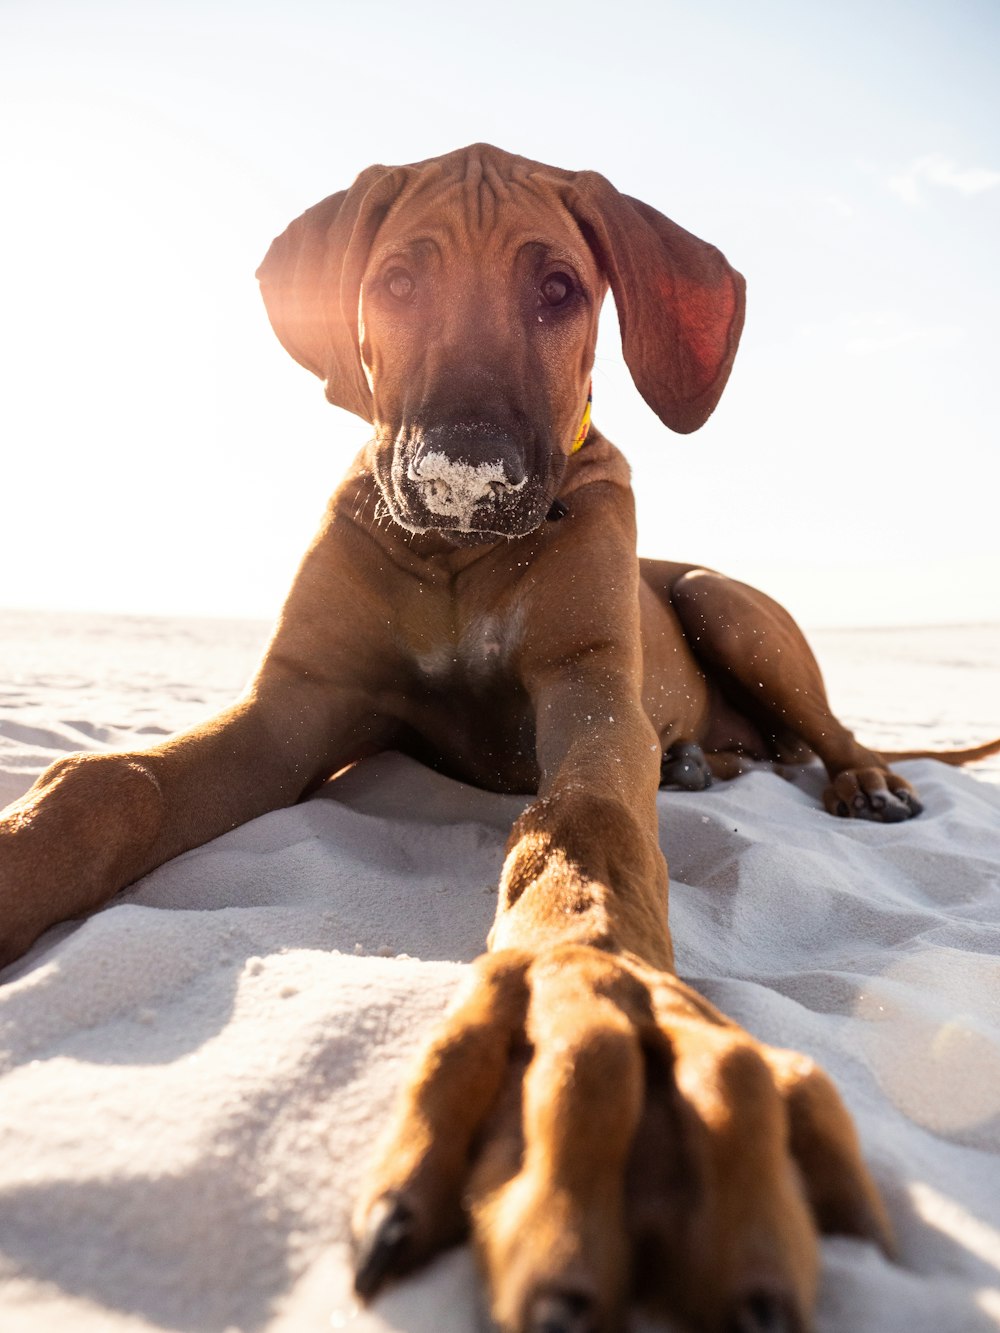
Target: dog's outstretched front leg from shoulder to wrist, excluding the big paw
<point>585,862</point>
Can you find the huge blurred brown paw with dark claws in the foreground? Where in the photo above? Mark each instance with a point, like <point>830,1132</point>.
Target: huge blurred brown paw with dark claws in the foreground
<point>607,1136</point>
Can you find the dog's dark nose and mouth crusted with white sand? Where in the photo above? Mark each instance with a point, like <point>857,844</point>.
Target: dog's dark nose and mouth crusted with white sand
<point>471,486</point>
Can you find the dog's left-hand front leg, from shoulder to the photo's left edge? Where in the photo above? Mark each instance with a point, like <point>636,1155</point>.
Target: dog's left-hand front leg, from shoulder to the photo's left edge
<point>95,823</point>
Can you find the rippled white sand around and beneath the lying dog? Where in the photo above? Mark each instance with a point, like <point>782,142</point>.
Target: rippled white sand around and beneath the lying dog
<point>191,1079</point>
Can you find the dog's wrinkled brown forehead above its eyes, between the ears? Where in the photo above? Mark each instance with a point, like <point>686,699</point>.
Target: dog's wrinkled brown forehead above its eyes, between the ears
<point>485,219</point>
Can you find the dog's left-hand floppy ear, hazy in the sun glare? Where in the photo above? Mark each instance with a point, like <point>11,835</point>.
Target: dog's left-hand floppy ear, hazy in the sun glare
<point>311,283</point>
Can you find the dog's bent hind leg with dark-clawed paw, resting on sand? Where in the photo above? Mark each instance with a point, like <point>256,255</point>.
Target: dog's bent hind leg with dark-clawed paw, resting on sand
<point>757,651</point>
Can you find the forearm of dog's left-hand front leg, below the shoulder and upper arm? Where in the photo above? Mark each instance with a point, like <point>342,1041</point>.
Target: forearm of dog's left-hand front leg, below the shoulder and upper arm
<point>95,823</point>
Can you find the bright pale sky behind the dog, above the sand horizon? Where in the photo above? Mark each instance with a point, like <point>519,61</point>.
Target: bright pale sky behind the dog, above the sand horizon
<point>162,454</point>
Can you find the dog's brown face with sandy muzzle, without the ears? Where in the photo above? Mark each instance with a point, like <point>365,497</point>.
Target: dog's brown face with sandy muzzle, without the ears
<point>478,326</point>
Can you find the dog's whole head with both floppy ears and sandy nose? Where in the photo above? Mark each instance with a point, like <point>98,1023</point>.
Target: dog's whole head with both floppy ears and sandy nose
<point>454,305</point>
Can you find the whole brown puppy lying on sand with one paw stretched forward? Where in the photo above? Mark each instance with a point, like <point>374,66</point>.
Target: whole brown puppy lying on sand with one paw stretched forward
<point>474,599</point>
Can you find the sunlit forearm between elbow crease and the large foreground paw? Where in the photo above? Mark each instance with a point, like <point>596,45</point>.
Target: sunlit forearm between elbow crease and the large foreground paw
<point>583,862</point>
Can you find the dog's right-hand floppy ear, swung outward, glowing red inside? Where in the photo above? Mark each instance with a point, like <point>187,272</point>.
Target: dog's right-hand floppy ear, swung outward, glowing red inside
<point>681,305</point>
